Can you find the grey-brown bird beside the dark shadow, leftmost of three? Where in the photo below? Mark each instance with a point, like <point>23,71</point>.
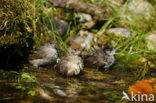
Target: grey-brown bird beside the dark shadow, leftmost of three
<point>44,55</point>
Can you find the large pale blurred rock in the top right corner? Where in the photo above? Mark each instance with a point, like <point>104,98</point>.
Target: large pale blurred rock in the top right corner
<point>139,9</point>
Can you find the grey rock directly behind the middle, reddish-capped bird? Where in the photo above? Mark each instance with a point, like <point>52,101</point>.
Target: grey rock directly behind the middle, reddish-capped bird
<point>84,39</point>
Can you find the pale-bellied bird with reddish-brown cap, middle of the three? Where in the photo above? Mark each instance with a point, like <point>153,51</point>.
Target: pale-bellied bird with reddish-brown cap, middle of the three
<point>71,63</point>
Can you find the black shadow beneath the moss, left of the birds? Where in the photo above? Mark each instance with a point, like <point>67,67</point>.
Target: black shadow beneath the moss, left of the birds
<point>12,57</point>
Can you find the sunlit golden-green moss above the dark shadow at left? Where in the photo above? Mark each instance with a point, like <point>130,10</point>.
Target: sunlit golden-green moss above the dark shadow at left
<point>12,22</point>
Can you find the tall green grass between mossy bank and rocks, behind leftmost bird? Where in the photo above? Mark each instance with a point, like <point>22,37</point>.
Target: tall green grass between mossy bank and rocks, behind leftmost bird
<point>42,24</point>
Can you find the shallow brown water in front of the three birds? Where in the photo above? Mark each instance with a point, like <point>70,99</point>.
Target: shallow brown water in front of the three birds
<point>91,86</point>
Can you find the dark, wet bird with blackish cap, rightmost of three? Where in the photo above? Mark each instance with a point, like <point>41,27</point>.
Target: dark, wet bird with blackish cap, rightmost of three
<point>100,58</point>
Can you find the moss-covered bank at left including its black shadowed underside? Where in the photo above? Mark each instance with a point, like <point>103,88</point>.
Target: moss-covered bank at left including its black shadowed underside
<point>15,40</point>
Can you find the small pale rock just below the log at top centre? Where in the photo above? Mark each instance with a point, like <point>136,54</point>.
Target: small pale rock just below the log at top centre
<point>84,17</point>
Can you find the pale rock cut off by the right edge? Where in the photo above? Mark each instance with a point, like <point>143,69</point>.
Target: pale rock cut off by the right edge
<point>151,41</point>
